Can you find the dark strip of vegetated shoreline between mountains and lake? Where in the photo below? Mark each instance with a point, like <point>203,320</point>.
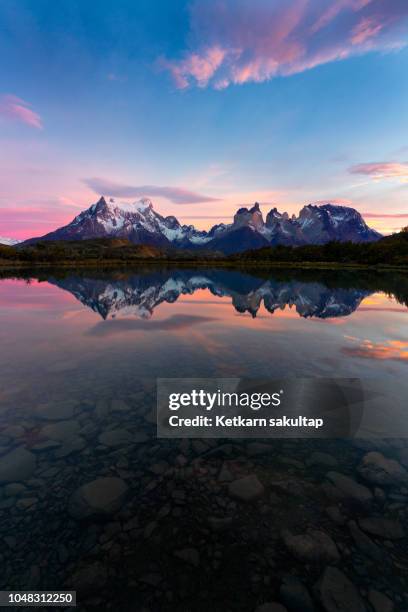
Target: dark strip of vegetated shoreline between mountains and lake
<point>389,251</point>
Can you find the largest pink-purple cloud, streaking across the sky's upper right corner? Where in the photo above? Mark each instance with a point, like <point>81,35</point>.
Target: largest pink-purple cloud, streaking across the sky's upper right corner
<point>234,41</point>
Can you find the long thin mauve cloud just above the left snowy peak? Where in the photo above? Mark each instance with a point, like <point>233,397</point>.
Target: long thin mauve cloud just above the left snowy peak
<point>177,195</point>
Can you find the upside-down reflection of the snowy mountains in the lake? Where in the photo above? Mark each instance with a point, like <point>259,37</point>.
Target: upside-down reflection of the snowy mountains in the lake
<point>139,294</point>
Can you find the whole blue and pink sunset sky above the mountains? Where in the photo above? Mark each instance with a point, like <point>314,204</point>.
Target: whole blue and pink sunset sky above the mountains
<point>203,106</point>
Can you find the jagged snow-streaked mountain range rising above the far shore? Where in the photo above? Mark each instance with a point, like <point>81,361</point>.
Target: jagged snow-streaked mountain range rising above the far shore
<point>141,224</point>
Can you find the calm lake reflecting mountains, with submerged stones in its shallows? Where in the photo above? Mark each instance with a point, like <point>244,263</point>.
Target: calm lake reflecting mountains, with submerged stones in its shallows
<point>91,500</point>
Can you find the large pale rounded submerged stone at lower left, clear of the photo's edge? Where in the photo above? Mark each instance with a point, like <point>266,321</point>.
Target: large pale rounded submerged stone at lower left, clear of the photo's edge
<point>101,497</point>
